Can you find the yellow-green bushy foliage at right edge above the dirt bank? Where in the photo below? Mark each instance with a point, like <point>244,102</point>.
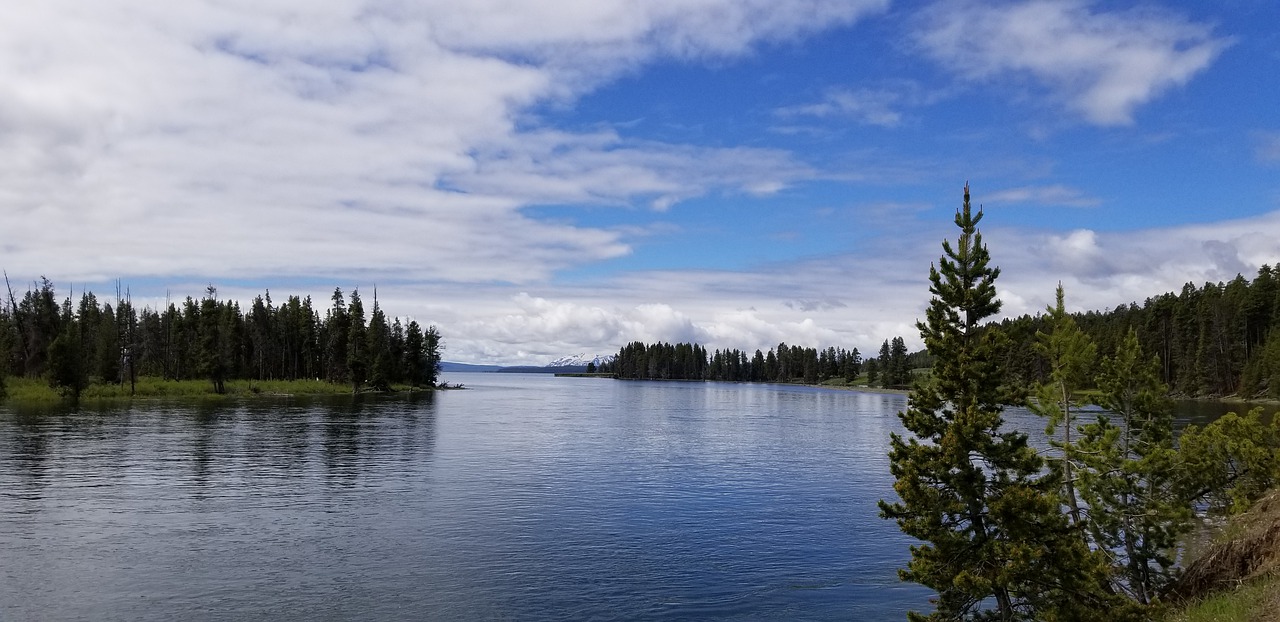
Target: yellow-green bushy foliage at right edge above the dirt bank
<point>1231,463</point>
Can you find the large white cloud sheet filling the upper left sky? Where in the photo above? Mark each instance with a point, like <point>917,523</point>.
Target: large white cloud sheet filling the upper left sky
<point>354,139</point>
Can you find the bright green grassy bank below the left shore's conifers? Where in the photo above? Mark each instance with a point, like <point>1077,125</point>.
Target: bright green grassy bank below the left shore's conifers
<point>36,391</point>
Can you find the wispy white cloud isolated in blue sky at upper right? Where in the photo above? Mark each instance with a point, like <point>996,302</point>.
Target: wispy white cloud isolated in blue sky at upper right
<point>1101,65</point>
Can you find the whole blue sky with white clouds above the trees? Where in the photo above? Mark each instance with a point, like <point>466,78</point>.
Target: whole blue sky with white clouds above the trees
<point>560,177</point>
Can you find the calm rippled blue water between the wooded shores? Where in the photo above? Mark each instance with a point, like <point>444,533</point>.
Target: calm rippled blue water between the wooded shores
<point>525,497</point>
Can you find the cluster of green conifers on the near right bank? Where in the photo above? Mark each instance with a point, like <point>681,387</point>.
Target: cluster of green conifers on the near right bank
<point>1087,529</point>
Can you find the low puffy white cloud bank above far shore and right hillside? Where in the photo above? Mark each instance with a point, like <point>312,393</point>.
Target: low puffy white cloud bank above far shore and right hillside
<point>880,292</point>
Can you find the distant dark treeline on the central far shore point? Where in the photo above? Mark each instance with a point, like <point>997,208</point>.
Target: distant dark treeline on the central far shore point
<point>687,362</point>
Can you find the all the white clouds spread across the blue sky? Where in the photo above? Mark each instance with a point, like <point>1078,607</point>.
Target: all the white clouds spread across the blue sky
<point>391,143</point>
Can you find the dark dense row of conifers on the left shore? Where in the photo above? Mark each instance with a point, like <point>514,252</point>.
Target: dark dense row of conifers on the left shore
<point>75,344</point>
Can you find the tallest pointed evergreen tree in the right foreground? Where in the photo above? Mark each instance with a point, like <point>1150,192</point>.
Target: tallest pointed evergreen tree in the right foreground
<point>996,543</point>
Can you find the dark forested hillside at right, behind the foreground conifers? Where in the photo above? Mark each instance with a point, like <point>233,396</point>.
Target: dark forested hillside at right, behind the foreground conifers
<point>1214,340</point>
